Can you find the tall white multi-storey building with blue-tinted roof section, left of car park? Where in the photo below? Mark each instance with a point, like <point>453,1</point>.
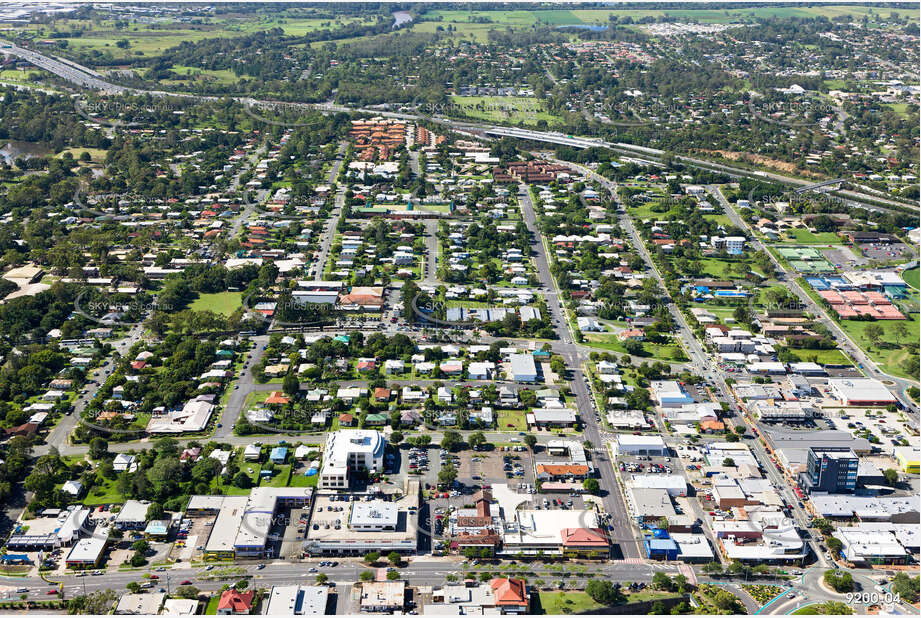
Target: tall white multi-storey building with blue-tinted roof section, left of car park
<point>350,449</point>
